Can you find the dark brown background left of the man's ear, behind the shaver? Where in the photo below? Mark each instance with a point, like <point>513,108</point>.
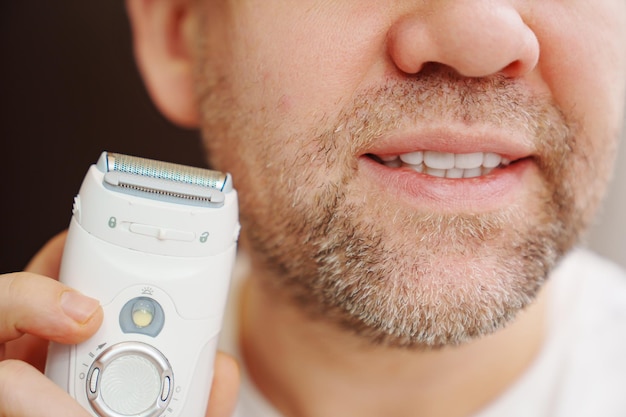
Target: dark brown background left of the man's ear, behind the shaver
<point>69,89</point>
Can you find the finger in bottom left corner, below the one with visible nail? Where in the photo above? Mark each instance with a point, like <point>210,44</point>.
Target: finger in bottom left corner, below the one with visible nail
<point>25,392</point>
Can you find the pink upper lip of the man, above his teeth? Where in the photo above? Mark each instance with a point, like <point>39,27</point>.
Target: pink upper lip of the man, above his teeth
<point>510,145</point>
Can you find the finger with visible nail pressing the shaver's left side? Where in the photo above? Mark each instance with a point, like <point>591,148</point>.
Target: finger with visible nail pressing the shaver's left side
<point>45,308</point>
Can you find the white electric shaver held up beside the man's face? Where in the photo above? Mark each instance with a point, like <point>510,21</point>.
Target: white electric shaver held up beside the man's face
<point>155,242</point>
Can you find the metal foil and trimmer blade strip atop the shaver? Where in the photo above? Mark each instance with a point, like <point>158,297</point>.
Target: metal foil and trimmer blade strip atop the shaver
<point>164,180</point>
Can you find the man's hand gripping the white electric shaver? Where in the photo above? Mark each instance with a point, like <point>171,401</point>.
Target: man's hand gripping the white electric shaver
<point>35,309</point>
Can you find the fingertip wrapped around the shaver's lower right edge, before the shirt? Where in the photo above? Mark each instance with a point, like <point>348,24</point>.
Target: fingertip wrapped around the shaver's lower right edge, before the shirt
<point>225,387</point>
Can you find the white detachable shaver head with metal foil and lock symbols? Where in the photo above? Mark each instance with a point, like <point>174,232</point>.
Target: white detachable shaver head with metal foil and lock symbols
<point>158,207</point>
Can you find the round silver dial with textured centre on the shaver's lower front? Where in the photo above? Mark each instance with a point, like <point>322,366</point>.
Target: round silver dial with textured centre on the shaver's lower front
<point>130,379</point>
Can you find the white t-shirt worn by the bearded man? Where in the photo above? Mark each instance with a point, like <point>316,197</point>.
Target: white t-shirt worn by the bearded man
<point>581,370</point>
